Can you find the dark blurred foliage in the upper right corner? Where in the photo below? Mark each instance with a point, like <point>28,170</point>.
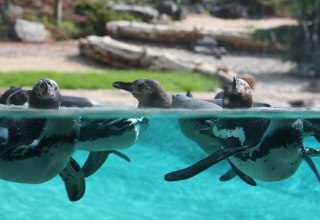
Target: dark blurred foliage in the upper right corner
<point>302,42</point>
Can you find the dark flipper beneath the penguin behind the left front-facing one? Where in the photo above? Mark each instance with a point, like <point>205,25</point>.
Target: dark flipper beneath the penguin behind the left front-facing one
<point>96,159</point>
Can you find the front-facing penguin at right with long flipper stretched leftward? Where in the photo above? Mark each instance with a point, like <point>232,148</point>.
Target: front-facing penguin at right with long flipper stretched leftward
<point>260,148</point>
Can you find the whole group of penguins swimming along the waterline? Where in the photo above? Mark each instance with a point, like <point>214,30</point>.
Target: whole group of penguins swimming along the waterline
<point>34,150</point>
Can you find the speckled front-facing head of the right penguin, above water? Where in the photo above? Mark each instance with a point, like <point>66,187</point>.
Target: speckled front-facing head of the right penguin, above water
<point>237,94</point>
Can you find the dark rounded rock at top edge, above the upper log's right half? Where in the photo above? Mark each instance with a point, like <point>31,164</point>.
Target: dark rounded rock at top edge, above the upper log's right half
<point>229,11</point>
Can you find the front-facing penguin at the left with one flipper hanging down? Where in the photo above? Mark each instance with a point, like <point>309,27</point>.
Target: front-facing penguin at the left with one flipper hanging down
<point>35,150</point>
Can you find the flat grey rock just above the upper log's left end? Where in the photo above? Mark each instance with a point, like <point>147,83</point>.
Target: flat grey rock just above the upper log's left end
<point>146,13</point>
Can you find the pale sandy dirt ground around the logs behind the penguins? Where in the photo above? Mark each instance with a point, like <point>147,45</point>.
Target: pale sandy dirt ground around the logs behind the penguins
<point>273,84</point>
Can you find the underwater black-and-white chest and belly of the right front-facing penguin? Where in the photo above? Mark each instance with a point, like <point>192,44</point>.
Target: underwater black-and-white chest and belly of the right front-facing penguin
<point>276,157</point>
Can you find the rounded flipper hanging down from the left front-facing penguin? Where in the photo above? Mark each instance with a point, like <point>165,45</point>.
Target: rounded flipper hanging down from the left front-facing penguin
<point>74,181</point>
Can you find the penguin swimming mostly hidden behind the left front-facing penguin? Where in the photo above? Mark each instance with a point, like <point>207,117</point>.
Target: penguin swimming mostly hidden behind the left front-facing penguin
<point>100,137</point>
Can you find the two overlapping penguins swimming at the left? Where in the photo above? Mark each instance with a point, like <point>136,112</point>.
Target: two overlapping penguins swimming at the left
<point>35,150</point>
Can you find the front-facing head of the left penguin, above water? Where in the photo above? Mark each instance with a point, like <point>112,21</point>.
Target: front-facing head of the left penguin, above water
<point>45,94</point>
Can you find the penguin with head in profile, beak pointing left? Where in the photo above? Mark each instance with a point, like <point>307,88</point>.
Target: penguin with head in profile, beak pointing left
<point>150,94</point>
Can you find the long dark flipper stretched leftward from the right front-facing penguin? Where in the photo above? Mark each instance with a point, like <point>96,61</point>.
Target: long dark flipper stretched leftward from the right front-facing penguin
<point>203,164</point>
